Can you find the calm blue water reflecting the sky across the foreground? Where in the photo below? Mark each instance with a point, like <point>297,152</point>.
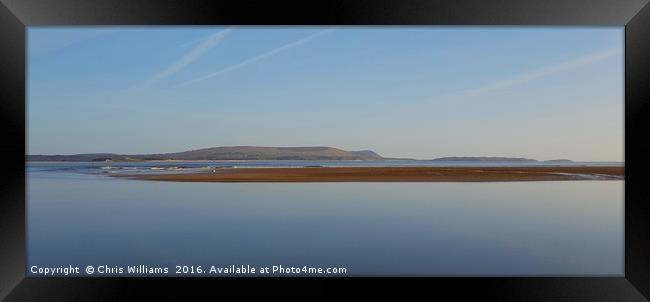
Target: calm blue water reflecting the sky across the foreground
<point>78,216</point>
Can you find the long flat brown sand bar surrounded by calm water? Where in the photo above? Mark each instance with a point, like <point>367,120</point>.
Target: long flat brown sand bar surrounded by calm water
<point>392,174</point>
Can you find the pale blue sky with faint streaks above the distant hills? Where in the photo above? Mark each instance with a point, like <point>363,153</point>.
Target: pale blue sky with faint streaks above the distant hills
<point>420,92</point>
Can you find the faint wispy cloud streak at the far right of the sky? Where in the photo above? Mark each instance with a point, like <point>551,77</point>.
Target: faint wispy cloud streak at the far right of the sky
<point>539,73</point>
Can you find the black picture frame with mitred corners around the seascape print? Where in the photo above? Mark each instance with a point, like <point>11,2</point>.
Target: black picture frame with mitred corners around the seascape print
<point>16,15</point>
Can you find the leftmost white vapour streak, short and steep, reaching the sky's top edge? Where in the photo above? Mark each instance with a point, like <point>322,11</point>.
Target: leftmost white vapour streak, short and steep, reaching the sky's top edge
<point>191,56</point>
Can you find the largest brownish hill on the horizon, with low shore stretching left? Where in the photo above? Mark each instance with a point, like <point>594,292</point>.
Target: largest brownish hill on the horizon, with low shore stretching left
<point>225,153</point>
